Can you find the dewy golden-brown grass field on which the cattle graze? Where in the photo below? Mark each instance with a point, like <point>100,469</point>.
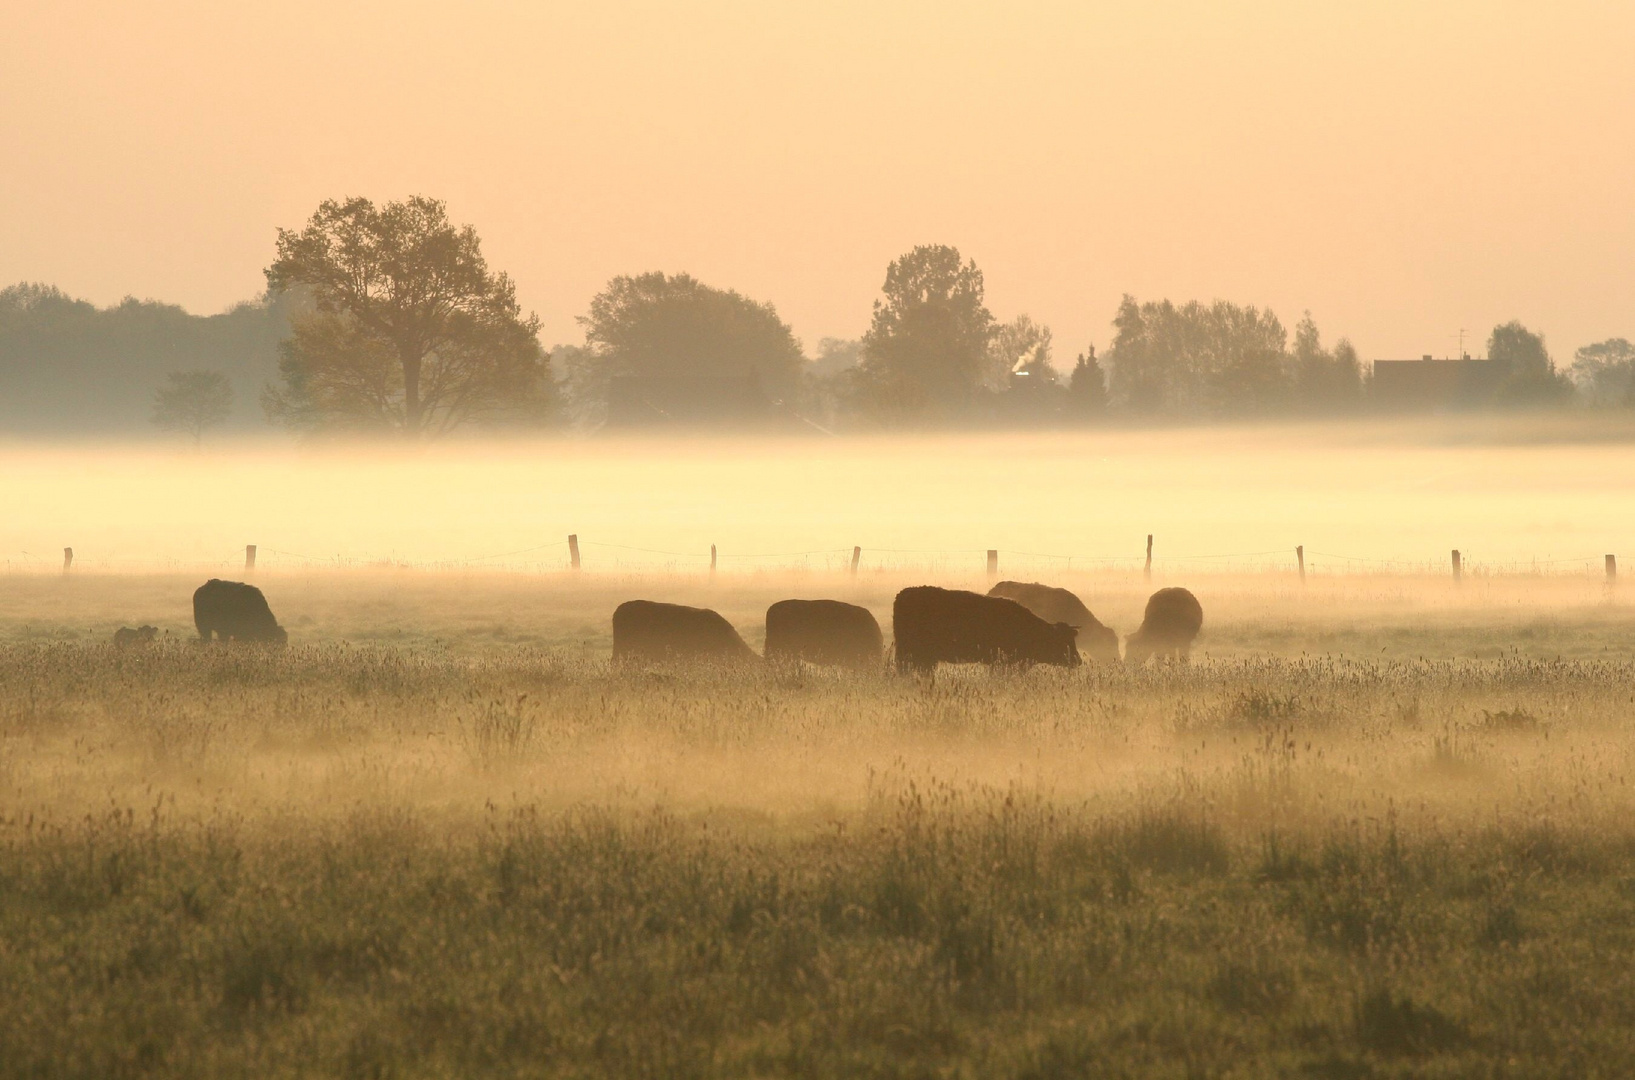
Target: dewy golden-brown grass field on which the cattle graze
<point>1379,828</point>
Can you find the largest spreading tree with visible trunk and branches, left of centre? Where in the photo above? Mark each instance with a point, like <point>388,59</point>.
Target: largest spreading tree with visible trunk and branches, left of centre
<point>410,331</point>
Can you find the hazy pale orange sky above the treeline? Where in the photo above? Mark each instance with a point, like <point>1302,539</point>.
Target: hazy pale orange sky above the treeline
<point>1399,169</point>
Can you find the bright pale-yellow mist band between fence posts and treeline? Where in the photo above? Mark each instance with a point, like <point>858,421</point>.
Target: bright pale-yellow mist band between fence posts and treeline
<point>1374,498</point>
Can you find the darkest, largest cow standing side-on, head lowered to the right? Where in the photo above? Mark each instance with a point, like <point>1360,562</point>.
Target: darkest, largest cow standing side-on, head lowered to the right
<point>951,627</point>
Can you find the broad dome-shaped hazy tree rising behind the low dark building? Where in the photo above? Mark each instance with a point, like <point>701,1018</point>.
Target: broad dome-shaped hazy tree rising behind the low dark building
<point>676,326</point>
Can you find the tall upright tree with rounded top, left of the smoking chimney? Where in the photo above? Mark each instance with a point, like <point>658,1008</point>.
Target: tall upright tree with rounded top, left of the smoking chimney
<point>926,352</point>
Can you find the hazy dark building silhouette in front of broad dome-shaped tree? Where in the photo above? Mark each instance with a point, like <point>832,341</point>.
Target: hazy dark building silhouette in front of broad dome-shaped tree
<point>723,403</point>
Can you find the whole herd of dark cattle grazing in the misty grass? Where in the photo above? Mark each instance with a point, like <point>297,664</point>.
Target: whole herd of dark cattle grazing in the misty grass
<point>1016,623</point>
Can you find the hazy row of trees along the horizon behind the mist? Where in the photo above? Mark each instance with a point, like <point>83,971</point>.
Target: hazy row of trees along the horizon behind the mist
<point>390,319</point>
